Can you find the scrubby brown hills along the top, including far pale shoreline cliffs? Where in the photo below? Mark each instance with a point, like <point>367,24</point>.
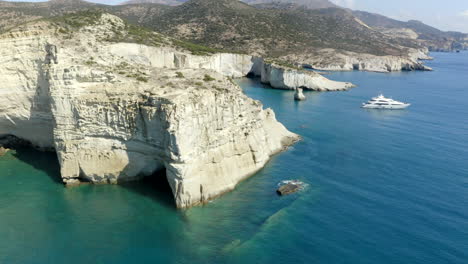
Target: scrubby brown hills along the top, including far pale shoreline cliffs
<point>329,38</point>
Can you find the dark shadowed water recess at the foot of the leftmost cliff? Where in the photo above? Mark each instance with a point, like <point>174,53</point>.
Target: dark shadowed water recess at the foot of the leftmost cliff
<point>40,160</point>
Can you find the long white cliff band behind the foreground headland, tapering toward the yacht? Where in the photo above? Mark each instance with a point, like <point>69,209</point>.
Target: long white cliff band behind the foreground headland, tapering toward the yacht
<point>232,65</point>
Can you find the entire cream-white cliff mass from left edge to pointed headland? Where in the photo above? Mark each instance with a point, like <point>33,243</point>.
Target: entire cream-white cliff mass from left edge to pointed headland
<point>116,112</point>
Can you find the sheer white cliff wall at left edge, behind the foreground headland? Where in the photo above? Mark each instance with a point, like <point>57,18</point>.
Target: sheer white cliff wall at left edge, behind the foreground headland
<point>24,99</point>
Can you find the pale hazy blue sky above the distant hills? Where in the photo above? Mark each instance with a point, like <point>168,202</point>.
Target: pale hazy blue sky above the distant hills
<point>443,14</point>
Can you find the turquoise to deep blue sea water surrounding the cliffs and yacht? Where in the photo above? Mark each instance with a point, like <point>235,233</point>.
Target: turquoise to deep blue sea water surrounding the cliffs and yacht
<point>384,187</point>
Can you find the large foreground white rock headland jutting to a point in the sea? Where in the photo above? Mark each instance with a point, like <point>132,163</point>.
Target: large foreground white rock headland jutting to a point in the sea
<point>207,139</point>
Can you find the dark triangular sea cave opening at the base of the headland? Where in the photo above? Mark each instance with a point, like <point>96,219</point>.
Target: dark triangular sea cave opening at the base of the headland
<point>155,187</point>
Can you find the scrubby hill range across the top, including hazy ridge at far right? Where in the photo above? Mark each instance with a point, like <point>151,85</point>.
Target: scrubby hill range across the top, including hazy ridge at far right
<point>285,15</point>
